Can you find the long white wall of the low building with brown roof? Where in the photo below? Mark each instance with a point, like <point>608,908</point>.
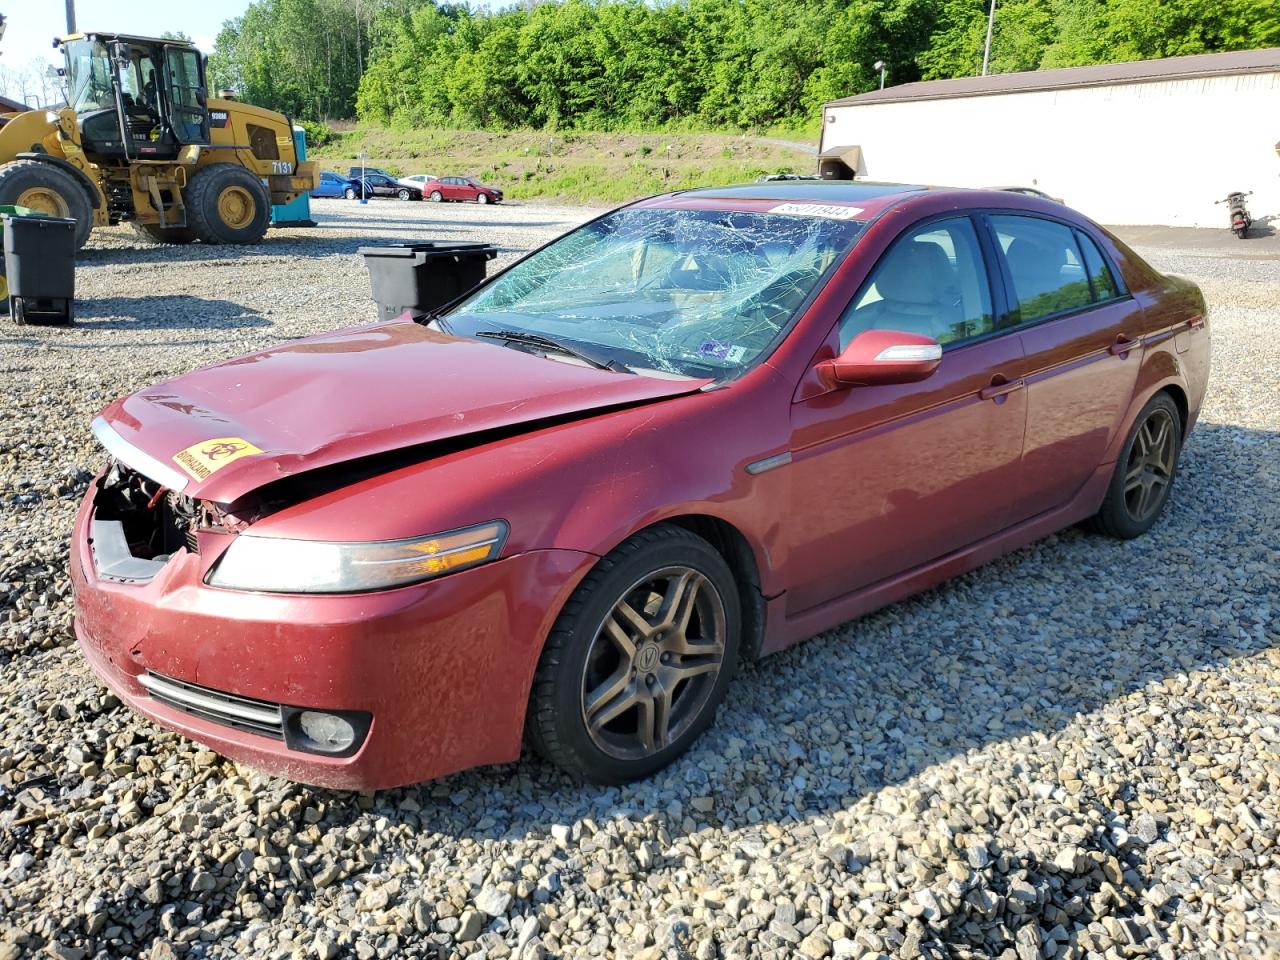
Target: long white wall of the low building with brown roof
<point>1131,154</point>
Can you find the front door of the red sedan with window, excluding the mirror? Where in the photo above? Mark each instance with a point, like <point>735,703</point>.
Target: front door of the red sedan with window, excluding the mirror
<point>889,478</point>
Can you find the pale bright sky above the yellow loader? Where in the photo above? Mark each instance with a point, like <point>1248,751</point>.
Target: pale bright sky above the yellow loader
<point>34,24</point>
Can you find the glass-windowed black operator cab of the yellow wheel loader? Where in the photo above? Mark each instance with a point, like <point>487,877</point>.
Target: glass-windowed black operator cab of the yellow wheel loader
<point>136,98</point>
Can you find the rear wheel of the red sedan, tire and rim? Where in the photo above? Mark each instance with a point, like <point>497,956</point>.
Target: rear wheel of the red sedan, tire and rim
<point>1156,436</point>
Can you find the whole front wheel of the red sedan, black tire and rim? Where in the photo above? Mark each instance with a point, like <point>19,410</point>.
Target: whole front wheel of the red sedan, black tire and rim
<point>586,670</point>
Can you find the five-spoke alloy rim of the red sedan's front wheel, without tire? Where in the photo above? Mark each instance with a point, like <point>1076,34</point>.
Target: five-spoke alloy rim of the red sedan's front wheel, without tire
<point>653,664</point>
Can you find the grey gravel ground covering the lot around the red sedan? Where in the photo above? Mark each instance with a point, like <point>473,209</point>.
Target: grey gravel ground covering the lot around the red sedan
<point>1073,752</point>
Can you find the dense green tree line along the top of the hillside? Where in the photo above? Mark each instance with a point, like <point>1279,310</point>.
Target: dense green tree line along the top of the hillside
<point>627,65</point>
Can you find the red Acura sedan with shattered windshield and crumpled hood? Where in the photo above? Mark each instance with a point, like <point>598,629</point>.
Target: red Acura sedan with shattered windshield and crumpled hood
<point>691,433</point>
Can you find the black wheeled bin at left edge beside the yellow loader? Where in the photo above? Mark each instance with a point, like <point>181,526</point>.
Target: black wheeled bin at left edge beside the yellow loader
<point>40,268</point>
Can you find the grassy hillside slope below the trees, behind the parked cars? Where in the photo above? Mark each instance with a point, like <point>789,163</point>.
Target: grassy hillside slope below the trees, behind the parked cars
<point>575,167</point>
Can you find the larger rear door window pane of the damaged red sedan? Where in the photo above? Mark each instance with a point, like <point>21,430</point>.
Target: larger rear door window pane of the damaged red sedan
<point>1044,264</point>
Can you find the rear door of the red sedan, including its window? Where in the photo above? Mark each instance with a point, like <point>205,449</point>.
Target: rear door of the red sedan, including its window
<point>1082,335</point>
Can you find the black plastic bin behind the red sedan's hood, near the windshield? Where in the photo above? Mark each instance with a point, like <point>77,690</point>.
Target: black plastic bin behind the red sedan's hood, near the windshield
<point>422,277</point>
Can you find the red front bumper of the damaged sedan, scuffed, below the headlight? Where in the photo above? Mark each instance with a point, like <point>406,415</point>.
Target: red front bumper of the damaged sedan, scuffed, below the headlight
<point>442,668</point>
